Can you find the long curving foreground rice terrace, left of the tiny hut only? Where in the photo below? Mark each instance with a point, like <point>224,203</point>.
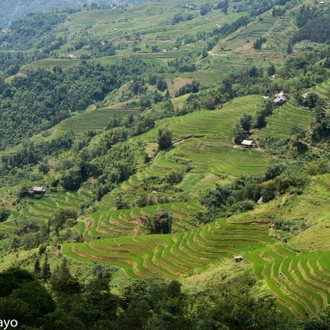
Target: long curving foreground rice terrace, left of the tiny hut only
<point>171,256</point>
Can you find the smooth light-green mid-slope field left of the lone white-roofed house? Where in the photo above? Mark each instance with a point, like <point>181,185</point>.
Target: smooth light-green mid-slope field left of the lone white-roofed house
<point>204,139</point>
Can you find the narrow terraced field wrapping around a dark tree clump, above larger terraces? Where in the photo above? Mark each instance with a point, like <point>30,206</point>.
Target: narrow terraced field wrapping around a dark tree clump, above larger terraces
<point>114,223</point>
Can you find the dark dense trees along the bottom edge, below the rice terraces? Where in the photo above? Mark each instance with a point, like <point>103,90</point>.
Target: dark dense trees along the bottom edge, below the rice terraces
<point>141,305</point>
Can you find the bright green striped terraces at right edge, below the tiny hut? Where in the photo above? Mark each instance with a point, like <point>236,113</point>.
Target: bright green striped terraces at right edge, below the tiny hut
<point>300,282</point>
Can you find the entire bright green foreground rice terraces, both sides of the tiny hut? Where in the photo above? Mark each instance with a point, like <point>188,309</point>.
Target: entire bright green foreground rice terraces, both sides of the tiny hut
<point>300,282</point>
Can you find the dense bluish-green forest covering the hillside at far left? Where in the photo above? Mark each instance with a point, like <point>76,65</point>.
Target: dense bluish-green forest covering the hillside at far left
<point>42,98</point>
